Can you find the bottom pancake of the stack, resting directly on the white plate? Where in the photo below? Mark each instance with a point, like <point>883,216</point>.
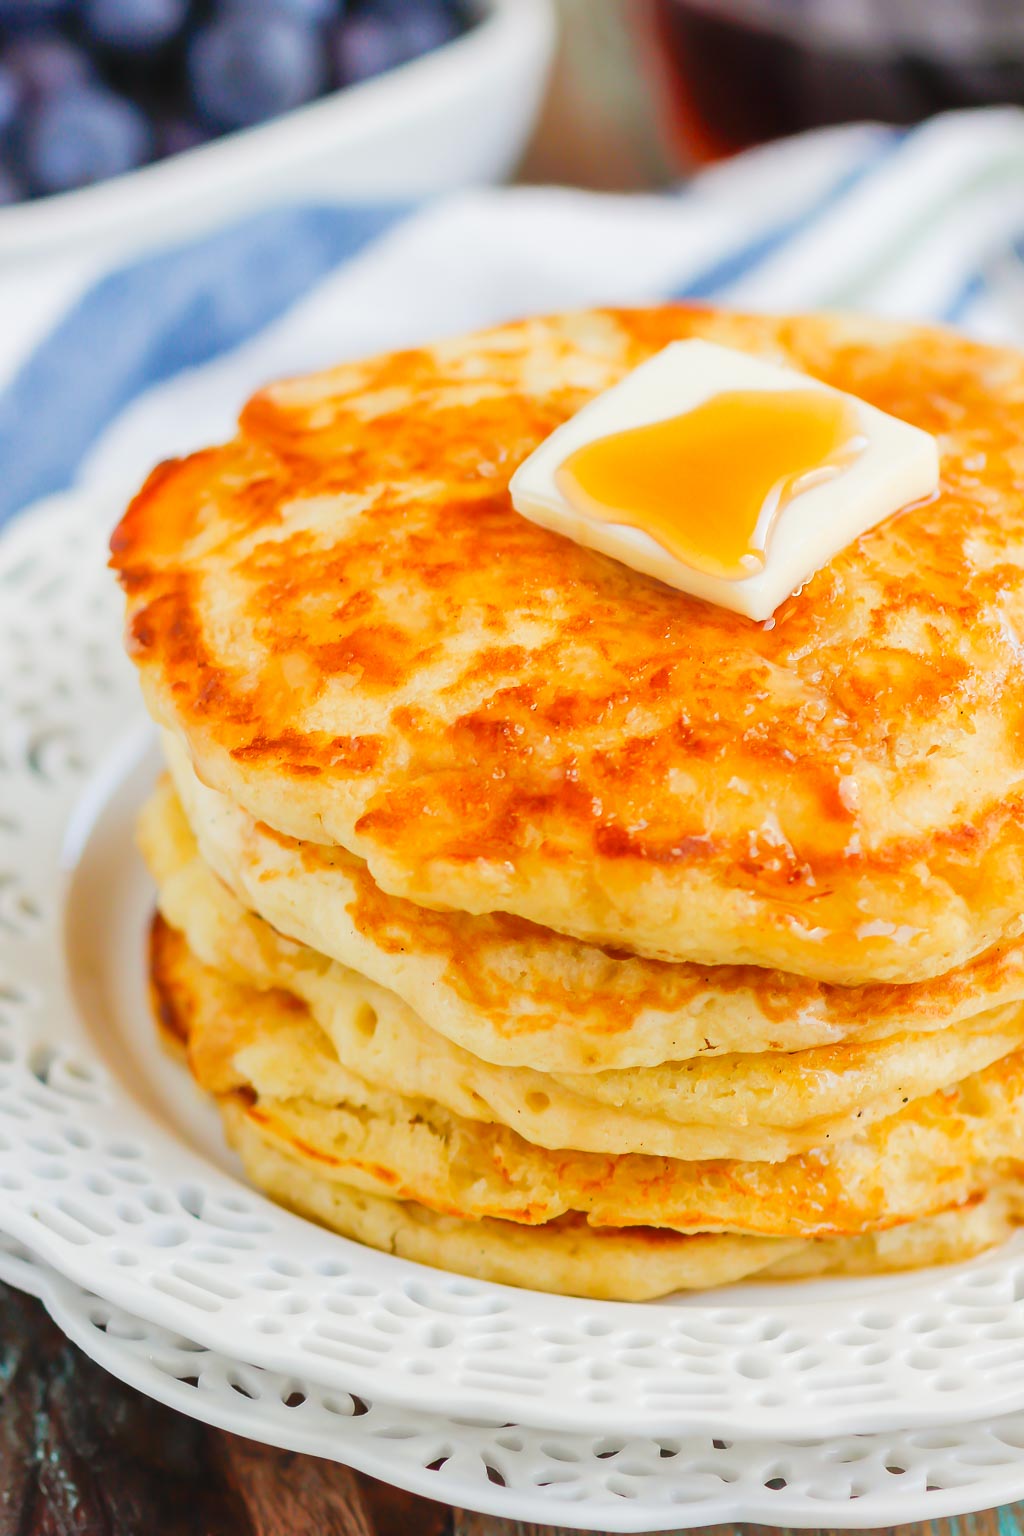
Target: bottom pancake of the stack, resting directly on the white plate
<point>566,1256</point>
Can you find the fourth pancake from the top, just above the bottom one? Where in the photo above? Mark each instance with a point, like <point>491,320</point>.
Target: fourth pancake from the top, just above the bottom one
<point>943,1153</point>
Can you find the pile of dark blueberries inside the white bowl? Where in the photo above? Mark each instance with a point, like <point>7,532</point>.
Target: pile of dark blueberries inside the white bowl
<point>94,88</point>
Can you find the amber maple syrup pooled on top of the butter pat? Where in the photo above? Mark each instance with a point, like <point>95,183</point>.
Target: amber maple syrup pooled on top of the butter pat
<point>710,485</point>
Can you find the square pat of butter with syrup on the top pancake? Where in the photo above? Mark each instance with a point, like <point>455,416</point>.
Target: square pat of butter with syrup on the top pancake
<point>724,475</point>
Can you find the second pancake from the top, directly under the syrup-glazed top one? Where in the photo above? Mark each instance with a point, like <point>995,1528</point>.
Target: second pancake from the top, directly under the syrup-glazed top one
<point>518,995</point>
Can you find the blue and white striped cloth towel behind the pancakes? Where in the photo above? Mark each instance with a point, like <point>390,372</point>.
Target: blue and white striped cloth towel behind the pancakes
<point>105,374</point>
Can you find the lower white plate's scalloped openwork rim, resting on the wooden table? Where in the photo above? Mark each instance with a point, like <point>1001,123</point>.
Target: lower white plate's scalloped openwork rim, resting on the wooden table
<point>606,1483</point>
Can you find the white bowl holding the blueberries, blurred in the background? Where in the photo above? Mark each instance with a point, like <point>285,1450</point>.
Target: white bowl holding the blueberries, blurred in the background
<point>455,118</point>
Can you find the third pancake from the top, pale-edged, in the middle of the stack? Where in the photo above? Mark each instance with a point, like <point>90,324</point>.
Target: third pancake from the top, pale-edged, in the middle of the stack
<point>747,1107</point>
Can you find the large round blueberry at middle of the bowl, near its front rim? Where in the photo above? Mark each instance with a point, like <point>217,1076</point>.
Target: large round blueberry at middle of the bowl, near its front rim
<point>246,68</point>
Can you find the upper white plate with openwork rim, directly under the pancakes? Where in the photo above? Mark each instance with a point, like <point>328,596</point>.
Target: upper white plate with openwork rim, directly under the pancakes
<point>114,1173</point>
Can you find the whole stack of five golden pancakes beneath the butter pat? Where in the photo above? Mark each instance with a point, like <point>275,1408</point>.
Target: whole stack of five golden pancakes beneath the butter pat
<point>535,921</point>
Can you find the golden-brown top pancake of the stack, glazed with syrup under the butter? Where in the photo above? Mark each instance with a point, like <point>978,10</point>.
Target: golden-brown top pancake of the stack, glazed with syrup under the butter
<point>363,644</point>
